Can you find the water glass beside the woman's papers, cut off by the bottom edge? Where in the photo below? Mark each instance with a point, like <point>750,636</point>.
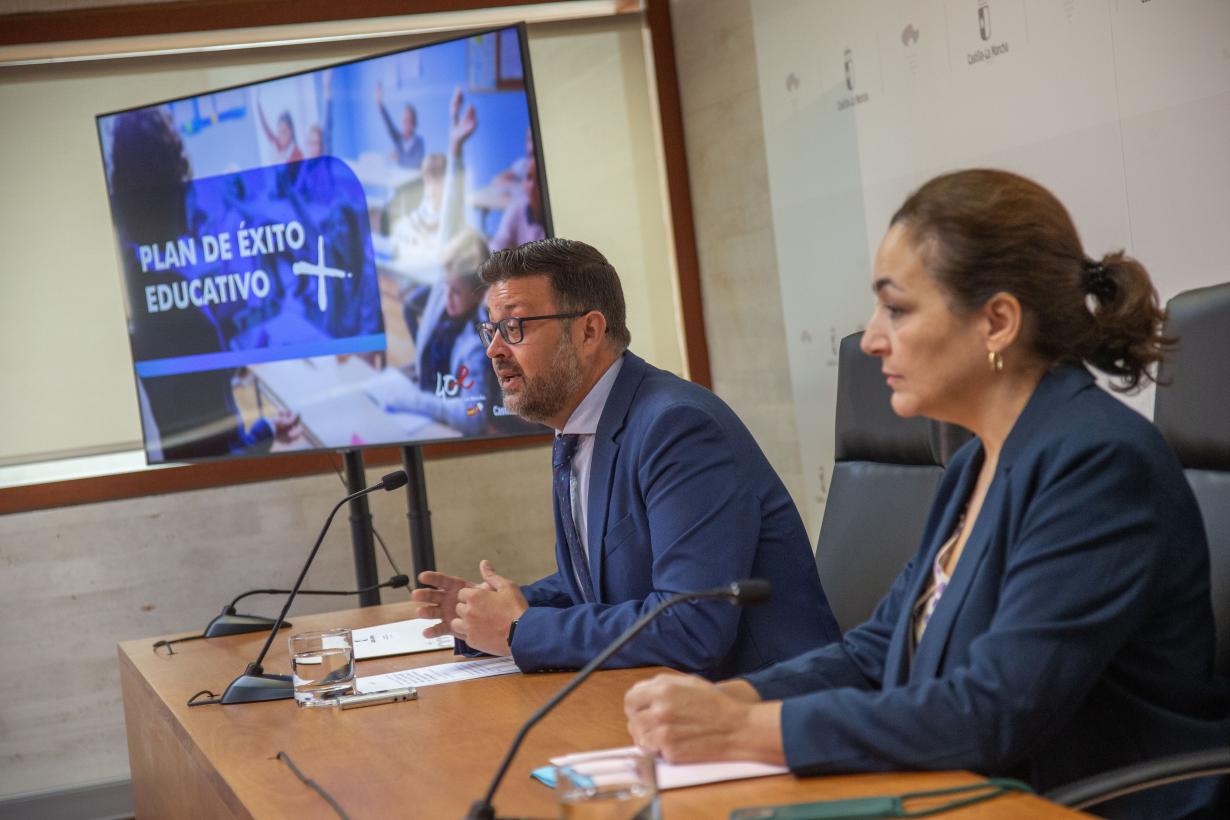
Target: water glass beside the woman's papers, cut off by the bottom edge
<point>617,785</point>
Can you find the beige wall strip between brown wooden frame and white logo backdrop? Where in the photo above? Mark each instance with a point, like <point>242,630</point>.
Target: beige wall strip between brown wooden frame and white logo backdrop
<point>720,94</point>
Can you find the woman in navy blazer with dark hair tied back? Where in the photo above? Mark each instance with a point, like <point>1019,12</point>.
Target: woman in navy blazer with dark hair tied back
<point>1056,621</point>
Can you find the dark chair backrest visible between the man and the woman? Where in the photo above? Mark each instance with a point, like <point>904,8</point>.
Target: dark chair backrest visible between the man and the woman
<point>885,478</point>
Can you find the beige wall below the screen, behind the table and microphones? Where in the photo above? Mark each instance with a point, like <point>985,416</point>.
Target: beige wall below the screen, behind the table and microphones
<point>77,581</point>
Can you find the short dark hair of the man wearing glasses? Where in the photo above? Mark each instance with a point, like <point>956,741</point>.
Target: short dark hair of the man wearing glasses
<point>581,280</point>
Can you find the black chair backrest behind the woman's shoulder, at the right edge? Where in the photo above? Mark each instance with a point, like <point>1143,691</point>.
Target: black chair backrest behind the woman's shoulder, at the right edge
<point>1192,410</point>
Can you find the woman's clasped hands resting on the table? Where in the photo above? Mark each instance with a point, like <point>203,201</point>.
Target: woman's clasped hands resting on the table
<point>687,720</point>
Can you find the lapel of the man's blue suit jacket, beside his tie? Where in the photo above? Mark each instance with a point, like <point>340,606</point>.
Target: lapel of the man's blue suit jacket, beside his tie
<point>602,473</point>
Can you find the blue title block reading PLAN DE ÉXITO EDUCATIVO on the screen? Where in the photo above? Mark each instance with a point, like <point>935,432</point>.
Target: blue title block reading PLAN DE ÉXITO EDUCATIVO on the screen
<point>281,258</point>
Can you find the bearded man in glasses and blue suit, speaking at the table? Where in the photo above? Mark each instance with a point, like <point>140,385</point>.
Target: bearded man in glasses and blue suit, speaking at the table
<point>659,489</point>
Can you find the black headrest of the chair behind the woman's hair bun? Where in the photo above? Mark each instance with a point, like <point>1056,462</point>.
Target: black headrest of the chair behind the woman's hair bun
<point>1192,406</point>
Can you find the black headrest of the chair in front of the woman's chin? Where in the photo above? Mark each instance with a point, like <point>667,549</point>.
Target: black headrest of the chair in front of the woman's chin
<point>868,430</point>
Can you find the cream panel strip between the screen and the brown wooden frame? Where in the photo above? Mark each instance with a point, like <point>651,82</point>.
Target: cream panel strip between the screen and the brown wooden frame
<point>614,201</point>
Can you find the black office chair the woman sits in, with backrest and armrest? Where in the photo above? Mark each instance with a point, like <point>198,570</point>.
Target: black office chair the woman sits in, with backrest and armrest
<point>1192,410</point>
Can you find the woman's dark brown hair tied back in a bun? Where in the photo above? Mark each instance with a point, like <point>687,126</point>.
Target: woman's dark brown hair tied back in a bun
<point>986,232</point>
